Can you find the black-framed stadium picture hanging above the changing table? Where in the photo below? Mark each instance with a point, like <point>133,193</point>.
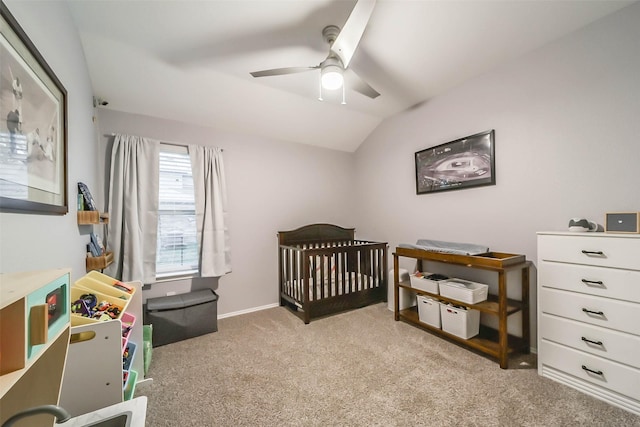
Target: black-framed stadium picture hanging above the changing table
<point>463,163</point>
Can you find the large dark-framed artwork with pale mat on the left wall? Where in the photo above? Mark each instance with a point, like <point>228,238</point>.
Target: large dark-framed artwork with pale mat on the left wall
<point>33,126</point>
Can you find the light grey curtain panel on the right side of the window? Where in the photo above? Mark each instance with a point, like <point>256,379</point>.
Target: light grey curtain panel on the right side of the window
<point>211,210</point>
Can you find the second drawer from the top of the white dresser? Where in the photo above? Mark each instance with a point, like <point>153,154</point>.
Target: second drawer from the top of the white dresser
<point>606,282</point>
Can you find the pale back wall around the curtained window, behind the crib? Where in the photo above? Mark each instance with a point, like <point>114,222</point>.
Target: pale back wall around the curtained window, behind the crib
<point>271,186</point>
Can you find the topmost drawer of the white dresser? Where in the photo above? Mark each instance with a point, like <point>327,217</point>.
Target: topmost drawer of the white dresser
<point>591,249</point>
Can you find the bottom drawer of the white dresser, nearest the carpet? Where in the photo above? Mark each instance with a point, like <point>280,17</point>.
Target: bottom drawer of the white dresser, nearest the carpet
<point>605,373</point>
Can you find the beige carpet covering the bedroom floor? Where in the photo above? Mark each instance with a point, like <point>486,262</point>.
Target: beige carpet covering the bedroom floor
<point>359,368</point>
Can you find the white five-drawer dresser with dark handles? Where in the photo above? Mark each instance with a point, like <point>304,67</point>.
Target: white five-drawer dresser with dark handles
<point>589,314</point>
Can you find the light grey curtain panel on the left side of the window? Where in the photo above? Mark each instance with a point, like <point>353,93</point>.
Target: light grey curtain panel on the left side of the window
<point>133,208</point>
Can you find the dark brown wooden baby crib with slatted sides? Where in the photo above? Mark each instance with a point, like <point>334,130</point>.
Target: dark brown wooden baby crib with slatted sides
<point>323,270</point>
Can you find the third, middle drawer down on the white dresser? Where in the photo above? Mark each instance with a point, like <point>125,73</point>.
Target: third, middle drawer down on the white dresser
<point>619,315</point>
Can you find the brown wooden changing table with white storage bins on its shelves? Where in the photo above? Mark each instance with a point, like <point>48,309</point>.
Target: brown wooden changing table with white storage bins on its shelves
<point>465,311</point>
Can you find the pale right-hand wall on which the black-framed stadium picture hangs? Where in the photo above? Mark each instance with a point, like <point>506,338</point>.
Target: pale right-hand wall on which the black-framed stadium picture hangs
<point>567,145</point>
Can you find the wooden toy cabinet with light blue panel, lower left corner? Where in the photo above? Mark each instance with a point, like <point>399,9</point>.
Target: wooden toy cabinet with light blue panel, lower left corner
<point>33,365</point>
